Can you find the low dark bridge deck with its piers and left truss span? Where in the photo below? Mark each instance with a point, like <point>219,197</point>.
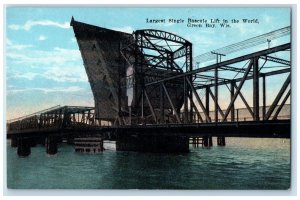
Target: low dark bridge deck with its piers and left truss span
<point>70,123</point>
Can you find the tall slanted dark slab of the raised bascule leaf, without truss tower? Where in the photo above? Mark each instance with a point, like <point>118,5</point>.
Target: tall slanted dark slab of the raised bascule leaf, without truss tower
<point>100,50</point>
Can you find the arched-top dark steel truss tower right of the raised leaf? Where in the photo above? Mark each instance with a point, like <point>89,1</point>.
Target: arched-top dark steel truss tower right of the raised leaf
<point>156,55</point>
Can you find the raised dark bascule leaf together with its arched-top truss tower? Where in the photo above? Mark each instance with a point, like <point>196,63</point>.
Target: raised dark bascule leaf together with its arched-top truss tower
<point>119,63</point>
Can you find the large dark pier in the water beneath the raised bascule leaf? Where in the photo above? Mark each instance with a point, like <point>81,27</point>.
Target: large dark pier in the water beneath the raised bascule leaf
<point>153,143</point>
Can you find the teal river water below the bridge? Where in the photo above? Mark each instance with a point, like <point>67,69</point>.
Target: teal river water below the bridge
<point>242,164</point>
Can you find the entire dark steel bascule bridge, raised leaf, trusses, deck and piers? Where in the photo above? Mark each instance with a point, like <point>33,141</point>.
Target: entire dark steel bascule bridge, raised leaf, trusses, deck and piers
<point>147,87</point>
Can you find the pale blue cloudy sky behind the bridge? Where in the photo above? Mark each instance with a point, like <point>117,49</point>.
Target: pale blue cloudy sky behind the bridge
<point>43,63</point>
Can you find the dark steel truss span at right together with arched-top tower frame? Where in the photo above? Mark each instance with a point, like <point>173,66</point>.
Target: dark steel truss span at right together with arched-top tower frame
<point>248,67</point>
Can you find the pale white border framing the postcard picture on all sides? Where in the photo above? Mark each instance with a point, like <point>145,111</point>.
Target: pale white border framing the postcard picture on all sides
<point>228,194</point>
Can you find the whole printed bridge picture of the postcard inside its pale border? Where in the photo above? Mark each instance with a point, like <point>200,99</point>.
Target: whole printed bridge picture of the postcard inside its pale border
<point>177,98</point>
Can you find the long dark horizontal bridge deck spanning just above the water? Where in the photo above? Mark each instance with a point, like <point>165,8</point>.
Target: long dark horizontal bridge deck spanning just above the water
<point>263,129</point>
